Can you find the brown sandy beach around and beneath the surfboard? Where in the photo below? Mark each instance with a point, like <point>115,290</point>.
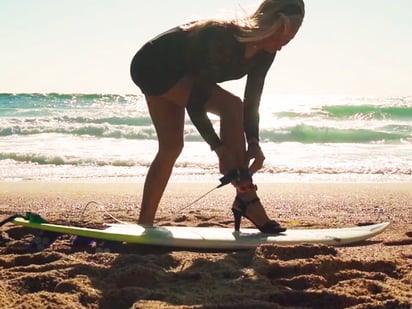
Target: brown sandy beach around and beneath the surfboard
<point>374,274</point>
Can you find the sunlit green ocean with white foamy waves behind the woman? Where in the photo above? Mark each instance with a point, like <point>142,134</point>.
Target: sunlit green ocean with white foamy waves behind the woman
<point>108,137</point>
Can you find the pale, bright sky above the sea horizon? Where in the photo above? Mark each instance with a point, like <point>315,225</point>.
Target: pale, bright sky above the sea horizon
<point>350,47</point>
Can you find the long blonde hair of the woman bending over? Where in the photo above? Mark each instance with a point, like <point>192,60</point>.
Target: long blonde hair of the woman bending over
<point>271,17</point>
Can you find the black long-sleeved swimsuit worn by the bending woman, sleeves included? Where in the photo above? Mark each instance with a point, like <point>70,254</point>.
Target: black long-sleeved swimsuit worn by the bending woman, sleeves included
<point>209,55</point>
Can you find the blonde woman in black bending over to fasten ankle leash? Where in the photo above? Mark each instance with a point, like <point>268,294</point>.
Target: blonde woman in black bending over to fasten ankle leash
<point>180,70</point>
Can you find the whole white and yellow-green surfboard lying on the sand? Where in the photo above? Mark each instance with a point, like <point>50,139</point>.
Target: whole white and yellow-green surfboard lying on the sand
<point>212,237</point>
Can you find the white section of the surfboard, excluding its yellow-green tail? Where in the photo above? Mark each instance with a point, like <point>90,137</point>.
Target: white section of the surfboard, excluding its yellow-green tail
<point>227,238</point>
